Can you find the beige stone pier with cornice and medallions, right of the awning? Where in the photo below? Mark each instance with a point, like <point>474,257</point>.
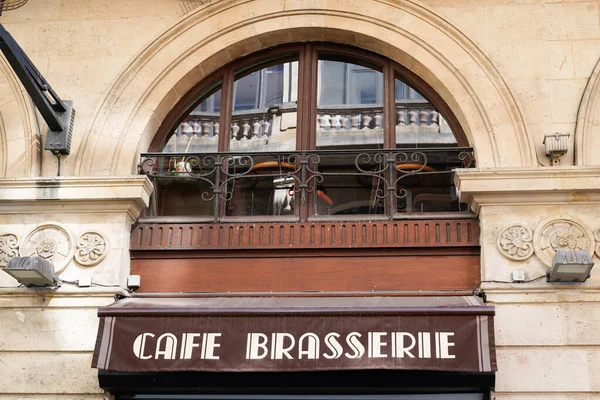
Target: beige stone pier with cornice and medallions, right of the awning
<point>546,334</point>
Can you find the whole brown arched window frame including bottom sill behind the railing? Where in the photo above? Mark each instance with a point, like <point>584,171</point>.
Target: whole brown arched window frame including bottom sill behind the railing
<point>308,56</point>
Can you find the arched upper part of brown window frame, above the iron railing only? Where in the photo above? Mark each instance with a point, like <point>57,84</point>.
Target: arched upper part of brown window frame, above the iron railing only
<point>308,56</point>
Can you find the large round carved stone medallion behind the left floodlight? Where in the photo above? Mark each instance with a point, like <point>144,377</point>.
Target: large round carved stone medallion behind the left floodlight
<point>52,242</point>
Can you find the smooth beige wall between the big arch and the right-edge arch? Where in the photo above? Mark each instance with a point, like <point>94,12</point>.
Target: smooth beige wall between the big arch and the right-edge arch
<point>546,51</point>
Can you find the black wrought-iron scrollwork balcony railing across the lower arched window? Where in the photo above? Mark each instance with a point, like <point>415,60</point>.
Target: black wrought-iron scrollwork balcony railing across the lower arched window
<point>304,186</point>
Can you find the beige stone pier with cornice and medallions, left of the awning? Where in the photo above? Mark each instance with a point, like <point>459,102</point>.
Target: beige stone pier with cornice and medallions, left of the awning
<point>47,335</point>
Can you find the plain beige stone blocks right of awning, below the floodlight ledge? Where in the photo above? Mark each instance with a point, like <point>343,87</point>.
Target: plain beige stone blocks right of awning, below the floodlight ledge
<point>546,343</point>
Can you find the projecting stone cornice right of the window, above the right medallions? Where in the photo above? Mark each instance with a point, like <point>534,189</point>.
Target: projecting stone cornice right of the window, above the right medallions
<point>528,186</point>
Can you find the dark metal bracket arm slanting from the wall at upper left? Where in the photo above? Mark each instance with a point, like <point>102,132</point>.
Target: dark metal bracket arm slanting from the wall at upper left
<point>58,114</point>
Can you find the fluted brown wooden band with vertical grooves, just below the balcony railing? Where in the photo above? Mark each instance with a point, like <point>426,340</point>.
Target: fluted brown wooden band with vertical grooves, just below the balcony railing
<point>322,235</point>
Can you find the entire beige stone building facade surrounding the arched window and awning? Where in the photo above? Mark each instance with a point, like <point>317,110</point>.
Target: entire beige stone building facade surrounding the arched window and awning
<point>510,71</point>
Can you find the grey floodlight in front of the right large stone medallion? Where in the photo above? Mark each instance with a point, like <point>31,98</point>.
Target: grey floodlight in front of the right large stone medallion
<point>570,266</point>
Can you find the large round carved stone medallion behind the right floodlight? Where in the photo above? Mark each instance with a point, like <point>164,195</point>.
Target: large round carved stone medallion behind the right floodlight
<point>560,233</point>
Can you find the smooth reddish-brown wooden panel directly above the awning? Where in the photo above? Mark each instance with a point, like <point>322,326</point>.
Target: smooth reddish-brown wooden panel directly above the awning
<point>239,273</point>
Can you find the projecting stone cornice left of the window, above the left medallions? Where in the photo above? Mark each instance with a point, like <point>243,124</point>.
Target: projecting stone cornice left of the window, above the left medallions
<point>128,194</point>
